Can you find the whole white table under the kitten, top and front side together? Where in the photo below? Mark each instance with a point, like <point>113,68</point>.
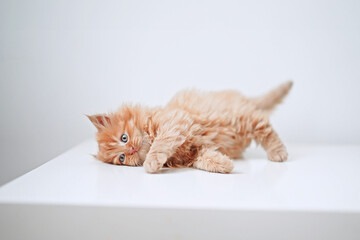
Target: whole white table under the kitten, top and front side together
<point>314,195</point>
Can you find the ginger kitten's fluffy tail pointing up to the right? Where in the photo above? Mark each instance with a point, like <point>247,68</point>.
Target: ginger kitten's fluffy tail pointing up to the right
<point>268,101</point>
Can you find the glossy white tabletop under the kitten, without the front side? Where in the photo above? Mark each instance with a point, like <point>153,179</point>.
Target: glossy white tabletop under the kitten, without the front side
<point>315,178</point>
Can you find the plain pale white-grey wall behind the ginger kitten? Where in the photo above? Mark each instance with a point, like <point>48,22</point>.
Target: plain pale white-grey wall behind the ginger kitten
<point>60,60</point>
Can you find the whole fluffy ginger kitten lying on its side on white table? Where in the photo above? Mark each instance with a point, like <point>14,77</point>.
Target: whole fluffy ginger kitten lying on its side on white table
<point>203,130</point>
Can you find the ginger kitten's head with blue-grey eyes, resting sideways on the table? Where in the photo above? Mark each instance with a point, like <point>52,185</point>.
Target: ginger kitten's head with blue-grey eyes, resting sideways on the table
<point>122,137</point>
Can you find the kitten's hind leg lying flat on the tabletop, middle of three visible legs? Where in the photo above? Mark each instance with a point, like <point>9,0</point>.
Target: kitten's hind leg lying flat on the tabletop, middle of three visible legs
<point>213,161</point>
